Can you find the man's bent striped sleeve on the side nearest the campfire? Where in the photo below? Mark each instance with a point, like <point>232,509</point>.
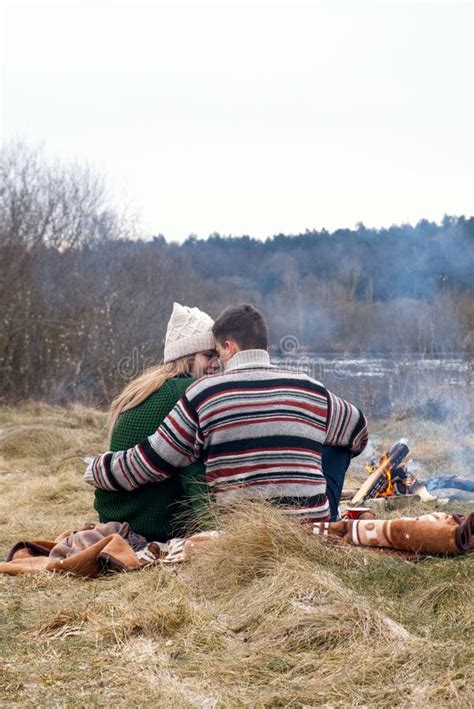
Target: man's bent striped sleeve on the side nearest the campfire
<point>346,425</point>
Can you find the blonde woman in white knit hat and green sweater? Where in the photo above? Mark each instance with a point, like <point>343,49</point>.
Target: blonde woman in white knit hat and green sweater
<point>158,512</point>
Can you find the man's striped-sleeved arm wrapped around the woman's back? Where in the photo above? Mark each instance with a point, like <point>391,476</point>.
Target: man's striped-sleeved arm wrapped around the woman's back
<point>175,444</point>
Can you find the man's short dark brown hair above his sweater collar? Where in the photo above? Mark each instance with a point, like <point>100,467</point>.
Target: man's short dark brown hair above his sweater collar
<point>244,324</point>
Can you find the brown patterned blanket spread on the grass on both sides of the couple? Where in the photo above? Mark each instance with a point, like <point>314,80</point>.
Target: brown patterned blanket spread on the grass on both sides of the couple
<point>113,547</point>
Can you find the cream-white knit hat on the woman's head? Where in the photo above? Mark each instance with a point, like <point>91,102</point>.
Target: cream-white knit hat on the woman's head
<point>189,331</point>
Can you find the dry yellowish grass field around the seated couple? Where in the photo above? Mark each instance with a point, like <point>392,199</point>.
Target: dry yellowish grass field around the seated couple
<point>269,617</point>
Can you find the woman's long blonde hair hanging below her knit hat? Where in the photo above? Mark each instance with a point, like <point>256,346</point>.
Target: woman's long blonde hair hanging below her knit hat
<point>146,384</point>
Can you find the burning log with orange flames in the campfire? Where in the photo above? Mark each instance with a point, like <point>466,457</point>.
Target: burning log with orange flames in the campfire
<point>388,477</point>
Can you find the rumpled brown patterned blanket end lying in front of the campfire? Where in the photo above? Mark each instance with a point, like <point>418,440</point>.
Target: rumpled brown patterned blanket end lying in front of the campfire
<point>436,533</point>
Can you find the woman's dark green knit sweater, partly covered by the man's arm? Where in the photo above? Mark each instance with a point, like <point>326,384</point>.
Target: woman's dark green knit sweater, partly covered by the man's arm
<point>162,510</point>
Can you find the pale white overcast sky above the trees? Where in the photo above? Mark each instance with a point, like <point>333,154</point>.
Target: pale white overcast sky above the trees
<point>249,118</point>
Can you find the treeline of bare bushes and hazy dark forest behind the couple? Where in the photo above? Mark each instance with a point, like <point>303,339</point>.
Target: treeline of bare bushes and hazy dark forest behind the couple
<point>84,302</point>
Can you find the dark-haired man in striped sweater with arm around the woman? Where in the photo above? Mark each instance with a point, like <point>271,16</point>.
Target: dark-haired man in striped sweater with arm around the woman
<point>262,432</point>
